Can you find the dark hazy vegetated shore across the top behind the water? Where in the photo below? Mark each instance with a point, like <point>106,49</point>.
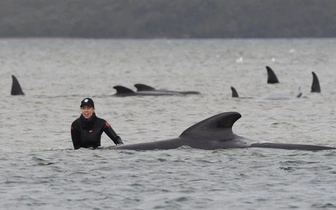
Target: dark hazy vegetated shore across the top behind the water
<point>168,18</point>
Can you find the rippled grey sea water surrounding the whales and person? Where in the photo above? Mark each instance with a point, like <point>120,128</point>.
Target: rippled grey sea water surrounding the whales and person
<point>40,170</point>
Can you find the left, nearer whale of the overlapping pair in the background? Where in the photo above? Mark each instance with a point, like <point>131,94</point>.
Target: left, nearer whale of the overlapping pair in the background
<point>123,91</point>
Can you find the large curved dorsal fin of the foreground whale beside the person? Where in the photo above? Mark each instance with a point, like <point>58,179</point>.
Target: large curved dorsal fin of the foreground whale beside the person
<point>218,126</point>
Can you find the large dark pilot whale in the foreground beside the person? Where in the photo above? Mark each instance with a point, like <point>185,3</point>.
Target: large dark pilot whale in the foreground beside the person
<point>215,133</point>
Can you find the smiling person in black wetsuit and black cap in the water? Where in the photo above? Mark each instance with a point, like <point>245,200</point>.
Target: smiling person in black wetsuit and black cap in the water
<point>86,130</point>
